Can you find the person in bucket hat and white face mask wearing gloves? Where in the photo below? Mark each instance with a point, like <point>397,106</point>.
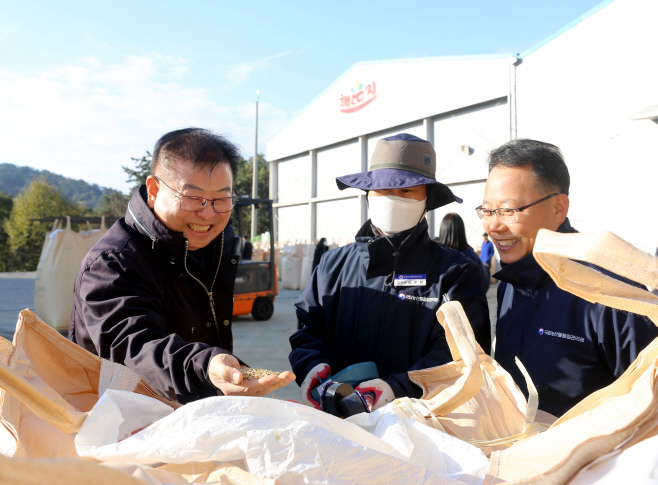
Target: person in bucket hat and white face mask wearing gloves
<point>376,299</point>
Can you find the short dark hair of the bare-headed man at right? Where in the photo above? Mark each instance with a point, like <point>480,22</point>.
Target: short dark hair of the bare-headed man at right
<point>547,162</point>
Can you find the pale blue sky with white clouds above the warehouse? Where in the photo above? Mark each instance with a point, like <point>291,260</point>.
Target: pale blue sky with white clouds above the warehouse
<point>86,85</point>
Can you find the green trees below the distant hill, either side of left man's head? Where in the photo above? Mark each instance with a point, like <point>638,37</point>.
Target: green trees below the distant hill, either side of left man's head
<point>21,238</point>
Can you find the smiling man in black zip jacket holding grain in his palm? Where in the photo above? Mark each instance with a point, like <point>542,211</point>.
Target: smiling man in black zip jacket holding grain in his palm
<point>156,293</point>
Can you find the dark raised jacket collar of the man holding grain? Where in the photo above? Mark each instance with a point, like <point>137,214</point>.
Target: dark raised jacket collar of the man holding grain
<point>140,217</point>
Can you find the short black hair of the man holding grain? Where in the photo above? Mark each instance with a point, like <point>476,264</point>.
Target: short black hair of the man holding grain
<point>203,148</point>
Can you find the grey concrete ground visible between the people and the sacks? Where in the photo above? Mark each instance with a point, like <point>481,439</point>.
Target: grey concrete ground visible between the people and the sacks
<point>260,344</point>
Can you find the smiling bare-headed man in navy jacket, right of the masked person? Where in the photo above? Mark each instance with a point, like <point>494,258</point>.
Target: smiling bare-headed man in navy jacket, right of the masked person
<point>569,346</point>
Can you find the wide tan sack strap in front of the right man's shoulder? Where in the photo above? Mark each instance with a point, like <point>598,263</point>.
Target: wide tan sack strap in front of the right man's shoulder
<point>555,253</point>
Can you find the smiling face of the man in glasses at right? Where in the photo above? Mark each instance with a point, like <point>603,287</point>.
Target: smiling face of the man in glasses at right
<point>513,187</point>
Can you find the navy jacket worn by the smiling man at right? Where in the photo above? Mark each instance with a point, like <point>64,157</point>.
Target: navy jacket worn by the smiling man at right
<point>569,346</point>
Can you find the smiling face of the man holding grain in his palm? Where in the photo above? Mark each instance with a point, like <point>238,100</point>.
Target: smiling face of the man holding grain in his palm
<point>201,227</point>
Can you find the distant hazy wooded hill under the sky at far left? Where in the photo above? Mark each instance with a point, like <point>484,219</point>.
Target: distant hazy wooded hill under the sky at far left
<point>13,179</point>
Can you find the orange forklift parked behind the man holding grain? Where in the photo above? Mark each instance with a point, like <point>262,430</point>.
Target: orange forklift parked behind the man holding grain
<point>256,284</point>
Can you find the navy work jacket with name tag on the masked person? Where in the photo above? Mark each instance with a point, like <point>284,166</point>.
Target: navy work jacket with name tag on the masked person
<point>347,314</point>
